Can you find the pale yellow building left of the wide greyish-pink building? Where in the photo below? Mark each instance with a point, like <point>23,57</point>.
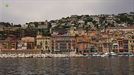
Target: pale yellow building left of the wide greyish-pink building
<point>43,43</point>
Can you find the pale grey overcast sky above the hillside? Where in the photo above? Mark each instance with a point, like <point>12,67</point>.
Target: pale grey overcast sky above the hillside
<point>23,11</point>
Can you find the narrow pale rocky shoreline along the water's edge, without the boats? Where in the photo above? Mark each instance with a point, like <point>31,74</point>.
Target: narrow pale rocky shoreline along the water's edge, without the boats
<point>54,55</point>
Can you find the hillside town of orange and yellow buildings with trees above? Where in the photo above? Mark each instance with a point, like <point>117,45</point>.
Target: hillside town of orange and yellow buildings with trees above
<point>78,34</point>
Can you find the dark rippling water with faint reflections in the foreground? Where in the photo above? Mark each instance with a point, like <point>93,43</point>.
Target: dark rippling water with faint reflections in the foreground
<point>67,66</point>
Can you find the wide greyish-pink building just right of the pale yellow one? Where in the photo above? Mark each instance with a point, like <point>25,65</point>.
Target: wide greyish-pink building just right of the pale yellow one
<point>63,43</point>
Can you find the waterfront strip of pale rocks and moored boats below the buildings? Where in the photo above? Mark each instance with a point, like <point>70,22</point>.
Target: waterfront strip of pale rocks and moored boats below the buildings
<point>50,55</point>
